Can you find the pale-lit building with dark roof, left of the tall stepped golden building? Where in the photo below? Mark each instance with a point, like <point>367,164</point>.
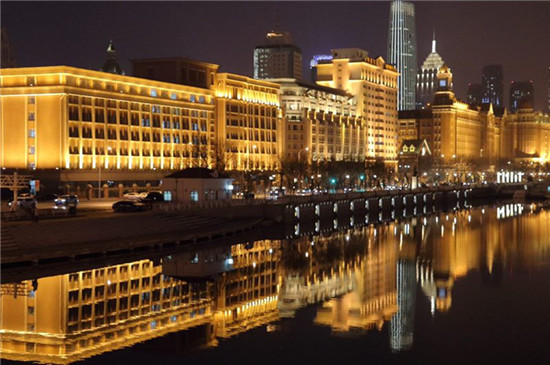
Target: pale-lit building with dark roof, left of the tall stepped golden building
<point>321,123</point>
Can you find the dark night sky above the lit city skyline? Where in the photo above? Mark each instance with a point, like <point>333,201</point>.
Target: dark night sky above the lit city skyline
<point>469,34</point>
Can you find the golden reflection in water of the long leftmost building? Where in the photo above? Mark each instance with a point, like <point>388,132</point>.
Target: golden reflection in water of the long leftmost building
<point>75,316</point>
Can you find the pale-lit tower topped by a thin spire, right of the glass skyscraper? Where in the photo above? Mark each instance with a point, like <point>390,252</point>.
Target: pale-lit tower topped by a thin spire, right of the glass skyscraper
<point>426,79</point>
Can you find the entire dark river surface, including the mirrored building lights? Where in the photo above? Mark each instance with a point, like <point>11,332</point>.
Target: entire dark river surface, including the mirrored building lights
<point>467,287</point>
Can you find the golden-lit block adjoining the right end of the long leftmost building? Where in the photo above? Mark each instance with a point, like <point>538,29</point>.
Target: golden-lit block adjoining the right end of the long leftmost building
<point>249,133</point>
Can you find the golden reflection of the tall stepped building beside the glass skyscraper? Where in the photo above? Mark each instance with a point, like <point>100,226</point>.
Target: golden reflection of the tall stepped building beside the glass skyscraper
<point>373,299</point>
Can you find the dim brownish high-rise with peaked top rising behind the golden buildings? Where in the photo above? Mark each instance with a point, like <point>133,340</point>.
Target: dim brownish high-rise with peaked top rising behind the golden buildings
<point>277,57</point>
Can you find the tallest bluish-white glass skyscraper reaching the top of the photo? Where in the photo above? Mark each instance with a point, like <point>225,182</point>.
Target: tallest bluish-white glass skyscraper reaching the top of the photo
<point>402,51</point>
